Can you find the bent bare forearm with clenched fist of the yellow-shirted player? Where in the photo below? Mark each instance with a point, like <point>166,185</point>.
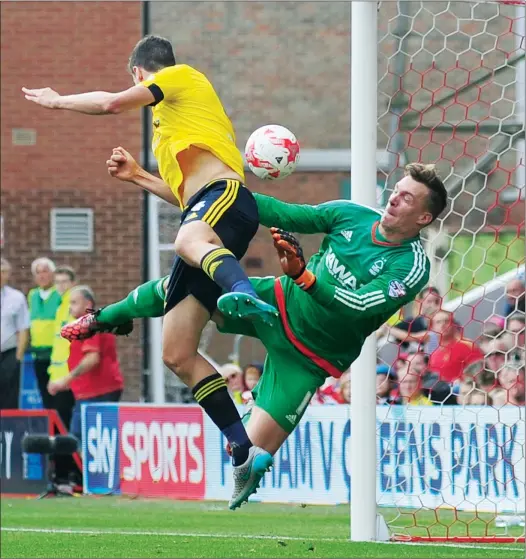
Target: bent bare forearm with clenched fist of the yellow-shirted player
<point>121,165</point>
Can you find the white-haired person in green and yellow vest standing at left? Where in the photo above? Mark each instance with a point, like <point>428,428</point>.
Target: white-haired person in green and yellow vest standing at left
<point>44,301</point>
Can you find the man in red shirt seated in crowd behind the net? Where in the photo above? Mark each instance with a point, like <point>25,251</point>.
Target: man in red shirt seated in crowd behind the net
<point>454,353</point>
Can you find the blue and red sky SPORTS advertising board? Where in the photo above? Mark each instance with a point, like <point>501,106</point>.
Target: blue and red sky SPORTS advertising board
<point>131,449</point>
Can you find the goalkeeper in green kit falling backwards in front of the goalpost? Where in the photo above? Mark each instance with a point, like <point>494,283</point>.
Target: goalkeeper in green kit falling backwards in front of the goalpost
<point>368,266</point>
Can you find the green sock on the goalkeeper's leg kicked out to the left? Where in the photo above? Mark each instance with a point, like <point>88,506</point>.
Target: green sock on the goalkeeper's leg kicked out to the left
<point>145,301</point>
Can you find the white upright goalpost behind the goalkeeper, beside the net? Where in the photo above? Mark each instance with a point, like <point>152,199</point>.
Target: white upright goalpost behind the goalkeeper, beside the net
<point>364,89</point>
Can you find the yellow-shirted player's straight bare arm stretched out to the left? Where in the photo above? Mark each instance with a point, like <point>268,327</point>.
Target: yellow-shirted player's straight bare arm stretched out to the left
<point>94,102</point>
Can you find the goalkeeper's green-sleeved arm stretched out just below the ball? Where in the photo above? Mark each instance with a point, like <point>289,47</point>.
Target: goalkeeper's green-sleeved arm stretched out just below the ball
<point>298,218</point>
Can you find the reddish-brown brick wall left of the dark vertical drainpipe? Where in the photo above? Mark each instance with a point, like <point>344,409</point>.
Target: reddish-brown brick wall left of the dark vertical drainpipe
<point>72,47</point>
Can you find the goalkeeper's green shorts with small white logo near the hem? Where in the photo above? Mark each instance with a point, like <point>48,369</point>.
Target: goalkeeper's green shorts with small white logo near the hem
<point>289,378</point>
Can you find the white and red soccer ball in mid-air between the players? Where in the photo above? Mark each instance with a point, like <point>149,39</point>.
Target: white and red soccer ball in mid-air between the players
<point>272,152</point>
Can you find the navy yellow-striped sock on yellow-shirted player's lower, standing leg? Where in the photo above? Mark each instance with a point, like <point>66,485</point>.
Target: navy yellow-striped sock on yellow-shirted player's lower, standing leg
<point>212,395</point>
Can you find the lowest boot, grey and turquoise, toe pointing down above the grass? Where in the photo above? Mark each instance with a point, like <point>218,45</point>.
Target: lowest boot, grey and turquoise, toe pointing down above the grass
<point>248,476</point>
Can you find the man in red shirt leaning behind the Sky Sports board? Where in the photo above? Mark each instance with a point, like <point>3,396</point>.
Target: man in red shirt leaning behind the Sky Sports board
<point>94,371</point>
